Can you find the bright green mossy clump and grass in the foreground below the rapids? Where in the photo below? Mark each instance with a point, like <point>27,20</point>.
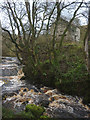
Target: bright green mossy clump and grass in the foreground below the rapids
<point>31,112</point>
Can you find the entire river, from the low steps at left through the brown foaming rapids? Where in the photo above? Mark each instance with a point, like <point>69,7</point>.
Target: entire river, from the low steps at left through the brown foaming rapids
<point>17,94</point>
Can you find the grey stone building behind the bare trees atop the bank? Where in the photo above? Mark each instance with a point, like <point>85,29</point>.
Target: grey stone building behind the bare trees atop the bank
<point>73,32</point>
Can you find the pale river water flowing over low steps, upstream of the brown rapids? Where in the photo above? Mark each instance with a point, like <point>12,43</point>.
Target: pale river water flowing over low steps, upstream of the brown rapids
<point>11,74</point>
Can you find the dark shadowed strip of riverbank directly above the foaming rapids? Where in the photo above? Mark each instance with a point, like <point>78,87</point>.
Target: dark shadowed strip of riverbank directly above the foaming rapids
<point>80,88</point>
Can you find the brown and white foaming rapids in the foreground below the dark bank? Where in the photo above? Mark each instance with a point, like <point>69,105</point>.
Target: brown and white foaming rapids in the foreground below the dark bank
<point>55,104</point>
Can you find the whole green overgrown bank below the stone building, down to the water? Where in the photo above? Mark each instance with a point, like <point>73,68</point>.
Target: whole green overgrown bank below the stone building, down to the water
<point>67,73</point>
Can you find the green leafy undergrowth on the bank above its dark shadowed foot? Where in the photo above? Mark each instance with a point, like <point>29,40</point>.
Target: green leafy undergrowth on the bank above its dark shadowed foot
<point>69,66</point>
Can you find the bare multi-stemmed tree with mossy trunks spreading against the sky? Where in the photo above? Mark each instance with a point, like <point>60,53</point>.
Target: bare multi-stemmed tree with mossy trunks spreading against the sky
<point>30,19</point>
